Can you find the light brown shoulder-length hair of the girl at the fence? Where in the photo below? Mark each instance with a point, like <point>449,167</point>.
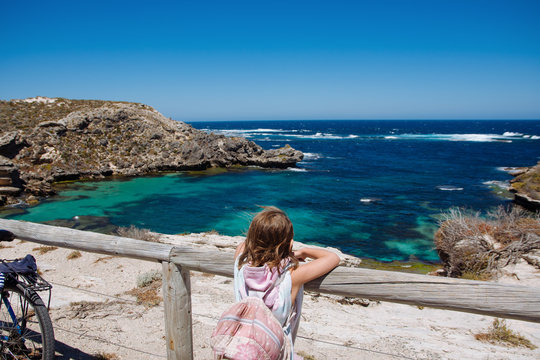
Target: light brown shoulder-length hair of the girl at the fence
<point>268,240</point>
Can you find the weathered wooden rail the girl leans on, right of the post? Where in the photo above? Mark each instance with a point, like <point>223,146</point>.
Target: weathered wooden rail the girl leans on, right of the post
<point>480,297</point>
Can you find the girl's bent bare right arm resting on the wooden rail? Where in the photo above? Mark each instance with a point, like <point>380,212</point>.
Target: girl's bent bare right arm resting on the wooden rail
<point>324,261</point>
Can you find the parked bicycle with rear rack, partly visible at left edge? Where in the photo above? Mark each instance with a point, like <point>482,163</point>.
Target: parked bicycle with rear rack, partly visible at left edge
<point>26,330</point>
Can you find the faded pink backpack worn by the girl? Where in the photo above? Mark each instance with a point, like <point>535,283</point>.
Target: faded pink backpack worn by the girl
<point>249,331</point>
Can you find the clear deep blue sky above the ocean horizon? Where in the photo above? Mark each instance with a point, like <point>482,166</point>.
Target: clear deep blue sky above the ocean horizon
<point>236,60</point>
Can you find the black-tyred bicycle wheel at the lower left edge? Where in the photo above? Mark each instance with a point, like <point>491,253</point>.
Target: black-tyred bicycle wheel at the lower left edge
<point>26,332</point>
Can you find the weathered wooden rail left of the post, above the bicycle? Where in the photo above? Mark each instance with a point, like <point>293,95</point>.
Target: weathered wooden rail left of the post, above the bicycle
<point>87,241</point>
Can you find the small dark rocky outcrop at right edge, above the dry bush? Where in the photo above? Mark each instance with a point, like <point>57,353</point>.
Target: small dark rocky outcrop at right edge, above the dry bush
<point>526,188</point>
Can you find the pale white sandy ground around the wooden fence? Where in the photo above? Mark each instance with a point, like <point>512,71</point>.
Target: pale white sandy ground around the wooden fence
<point>114,324</point>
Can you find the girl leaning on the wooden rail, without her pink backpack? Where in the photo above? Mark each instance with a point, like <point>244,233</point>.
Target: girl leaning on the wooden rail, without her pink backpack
<point>266,267</point>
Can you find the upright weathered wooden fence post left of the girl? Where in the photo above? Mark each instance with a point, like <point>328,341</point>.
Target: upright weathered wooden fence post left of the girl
<point>177,303</point>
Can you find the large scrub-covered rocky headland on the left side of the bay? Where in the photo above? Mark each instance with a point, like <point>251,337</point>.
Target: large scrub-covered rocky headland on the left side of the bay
<point>46,140</point>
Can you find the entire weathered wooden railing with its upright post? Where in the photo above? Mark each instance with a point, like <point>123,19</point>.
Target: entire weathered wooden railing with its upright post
<point>500,300</point>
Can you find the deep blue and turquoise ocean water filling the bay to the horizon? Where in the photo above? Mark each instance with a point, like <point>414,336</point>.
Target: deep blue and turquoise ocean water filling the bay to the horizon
<point>370,188</point>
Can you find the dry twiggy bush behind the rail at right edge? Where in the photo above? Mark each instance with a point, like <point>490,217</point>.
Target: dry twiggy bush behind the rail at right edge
<point>476,247</point>
